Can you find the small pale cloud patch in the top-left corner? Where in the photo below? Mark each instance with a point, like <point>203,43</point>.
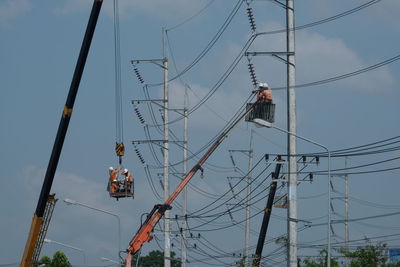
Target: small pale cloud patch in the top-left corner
<point>9,9</point>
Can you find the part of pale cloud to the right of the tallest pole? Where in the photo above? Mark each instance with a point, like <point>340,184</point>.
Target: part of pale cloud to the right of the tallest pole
<point>320,57</point>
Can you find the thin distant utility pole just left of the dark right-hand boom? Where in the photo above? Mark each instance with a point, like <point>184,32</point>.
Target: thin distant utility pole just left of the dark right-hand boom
<point>248,197</point>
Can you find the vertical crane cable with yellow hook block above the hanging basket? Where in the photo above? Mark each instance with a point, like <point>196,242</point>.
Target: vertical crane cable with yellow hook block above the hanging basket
<point>119,145</point>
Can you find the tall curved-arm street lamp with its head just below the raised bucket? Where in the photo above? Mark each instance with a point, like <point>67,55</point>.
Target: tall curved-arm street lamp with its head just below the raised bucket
<point>270,125</point>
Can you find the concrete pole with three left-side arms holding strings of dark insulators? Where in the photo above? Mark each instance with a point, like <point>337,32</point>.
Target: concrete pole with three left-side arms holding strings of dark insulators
<point>167,226</point>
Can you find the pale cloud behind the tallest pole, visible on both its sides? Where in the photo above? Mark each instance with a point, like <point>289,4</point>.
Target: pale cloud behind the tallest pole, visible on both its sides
<point>319,57</point>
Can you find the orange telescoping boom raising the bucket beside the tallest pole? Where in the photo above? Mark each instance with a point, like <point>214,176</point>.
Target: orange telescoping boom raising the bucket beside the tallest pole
<point>145,230</point>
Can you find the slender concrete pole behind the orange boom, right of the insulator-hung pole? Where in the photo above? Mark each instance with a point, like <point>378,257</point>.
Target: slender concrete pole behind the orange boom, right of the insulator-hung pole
<point>184,195</point>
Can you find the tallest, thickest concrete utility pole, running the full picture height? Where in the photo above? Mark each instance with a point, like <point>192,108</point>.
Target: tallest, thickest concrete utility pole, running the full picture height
<point>291,124</point>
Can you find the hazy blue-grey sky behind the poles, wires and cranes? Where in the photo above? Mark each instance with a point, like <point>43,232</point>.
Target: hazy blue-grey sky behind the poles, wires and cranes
<point>40,42</point>
